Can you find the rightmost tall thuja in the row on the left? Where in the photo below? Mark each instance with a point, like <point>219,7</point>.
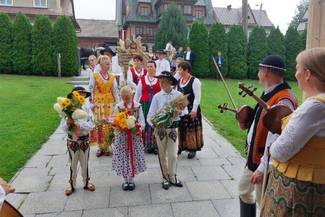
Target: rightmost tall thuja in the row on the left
<point>65,43</point>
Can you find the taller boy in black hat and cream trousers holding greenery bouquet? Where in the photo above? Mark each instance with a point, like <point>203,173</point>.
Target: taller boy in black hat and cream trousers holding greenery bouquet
<point>166,137</point>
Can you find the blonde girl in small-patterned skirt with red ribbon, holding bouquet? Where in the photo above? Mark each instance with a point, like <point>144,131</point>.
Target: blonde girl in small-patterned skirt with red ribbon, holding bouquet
<point>128,161</point>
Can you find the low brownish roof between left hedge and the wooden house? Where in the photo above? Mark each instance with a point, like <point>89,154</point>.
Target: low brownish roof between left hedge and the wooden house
<point>91,28</point>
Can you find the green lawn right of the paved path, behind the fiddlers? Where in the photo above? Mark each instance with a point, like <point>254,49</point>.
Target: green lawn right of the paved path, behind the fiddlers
<point>214,93</point>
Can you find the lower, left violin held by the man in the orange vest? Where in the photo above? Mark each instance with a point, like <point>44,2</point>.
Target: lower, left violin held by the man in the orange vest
<point>243,114</point>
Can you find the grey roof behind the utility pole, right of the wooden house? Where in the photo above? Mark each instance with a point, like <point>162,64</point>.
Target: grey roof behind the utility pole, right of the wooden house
<point>233,16</point>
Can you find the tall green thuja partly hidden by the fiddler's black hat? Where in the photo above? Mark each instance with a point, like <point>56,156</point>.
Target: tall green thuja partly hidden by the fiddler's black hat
<point>256,50</point>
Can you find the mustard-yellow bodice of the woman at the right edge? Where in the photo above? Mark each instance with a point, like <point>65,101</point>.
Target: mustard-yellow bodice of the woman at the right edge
<point>308,164</point>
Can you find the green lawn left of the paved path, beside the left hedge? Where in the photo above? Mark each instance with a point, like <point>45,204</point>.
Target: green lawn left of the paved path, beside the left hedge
<point>27,117</point>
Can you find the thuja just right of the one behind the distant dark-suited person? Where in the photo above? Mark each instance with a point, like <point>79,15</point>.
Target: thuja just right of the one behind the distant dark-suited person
<point>237,53</point>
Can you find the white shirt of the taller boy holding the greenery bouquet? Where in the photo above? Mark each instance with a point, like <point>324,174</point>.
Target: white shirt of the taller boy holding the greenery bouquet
<point>160,101</point>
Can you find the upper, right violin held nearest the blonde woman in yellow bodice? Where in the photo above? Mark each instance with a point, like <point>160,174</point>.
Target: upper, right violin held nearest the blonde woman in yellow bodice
<point>273,115</point>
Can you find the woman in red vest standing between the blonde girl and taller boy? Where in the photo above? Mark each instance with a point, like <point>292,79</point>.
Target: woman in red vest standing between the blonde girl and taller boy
<point>145,91</point>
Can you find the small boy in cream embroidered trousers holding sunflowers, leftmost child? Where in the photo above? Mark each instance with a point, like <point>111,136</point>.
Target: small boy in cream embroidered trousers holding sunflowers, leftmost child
<point>78,145</point>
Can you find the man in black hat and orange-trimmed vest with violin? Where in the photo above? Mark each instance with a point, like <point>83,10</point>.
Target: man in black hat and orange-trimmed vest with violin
<point>276,91</point>
